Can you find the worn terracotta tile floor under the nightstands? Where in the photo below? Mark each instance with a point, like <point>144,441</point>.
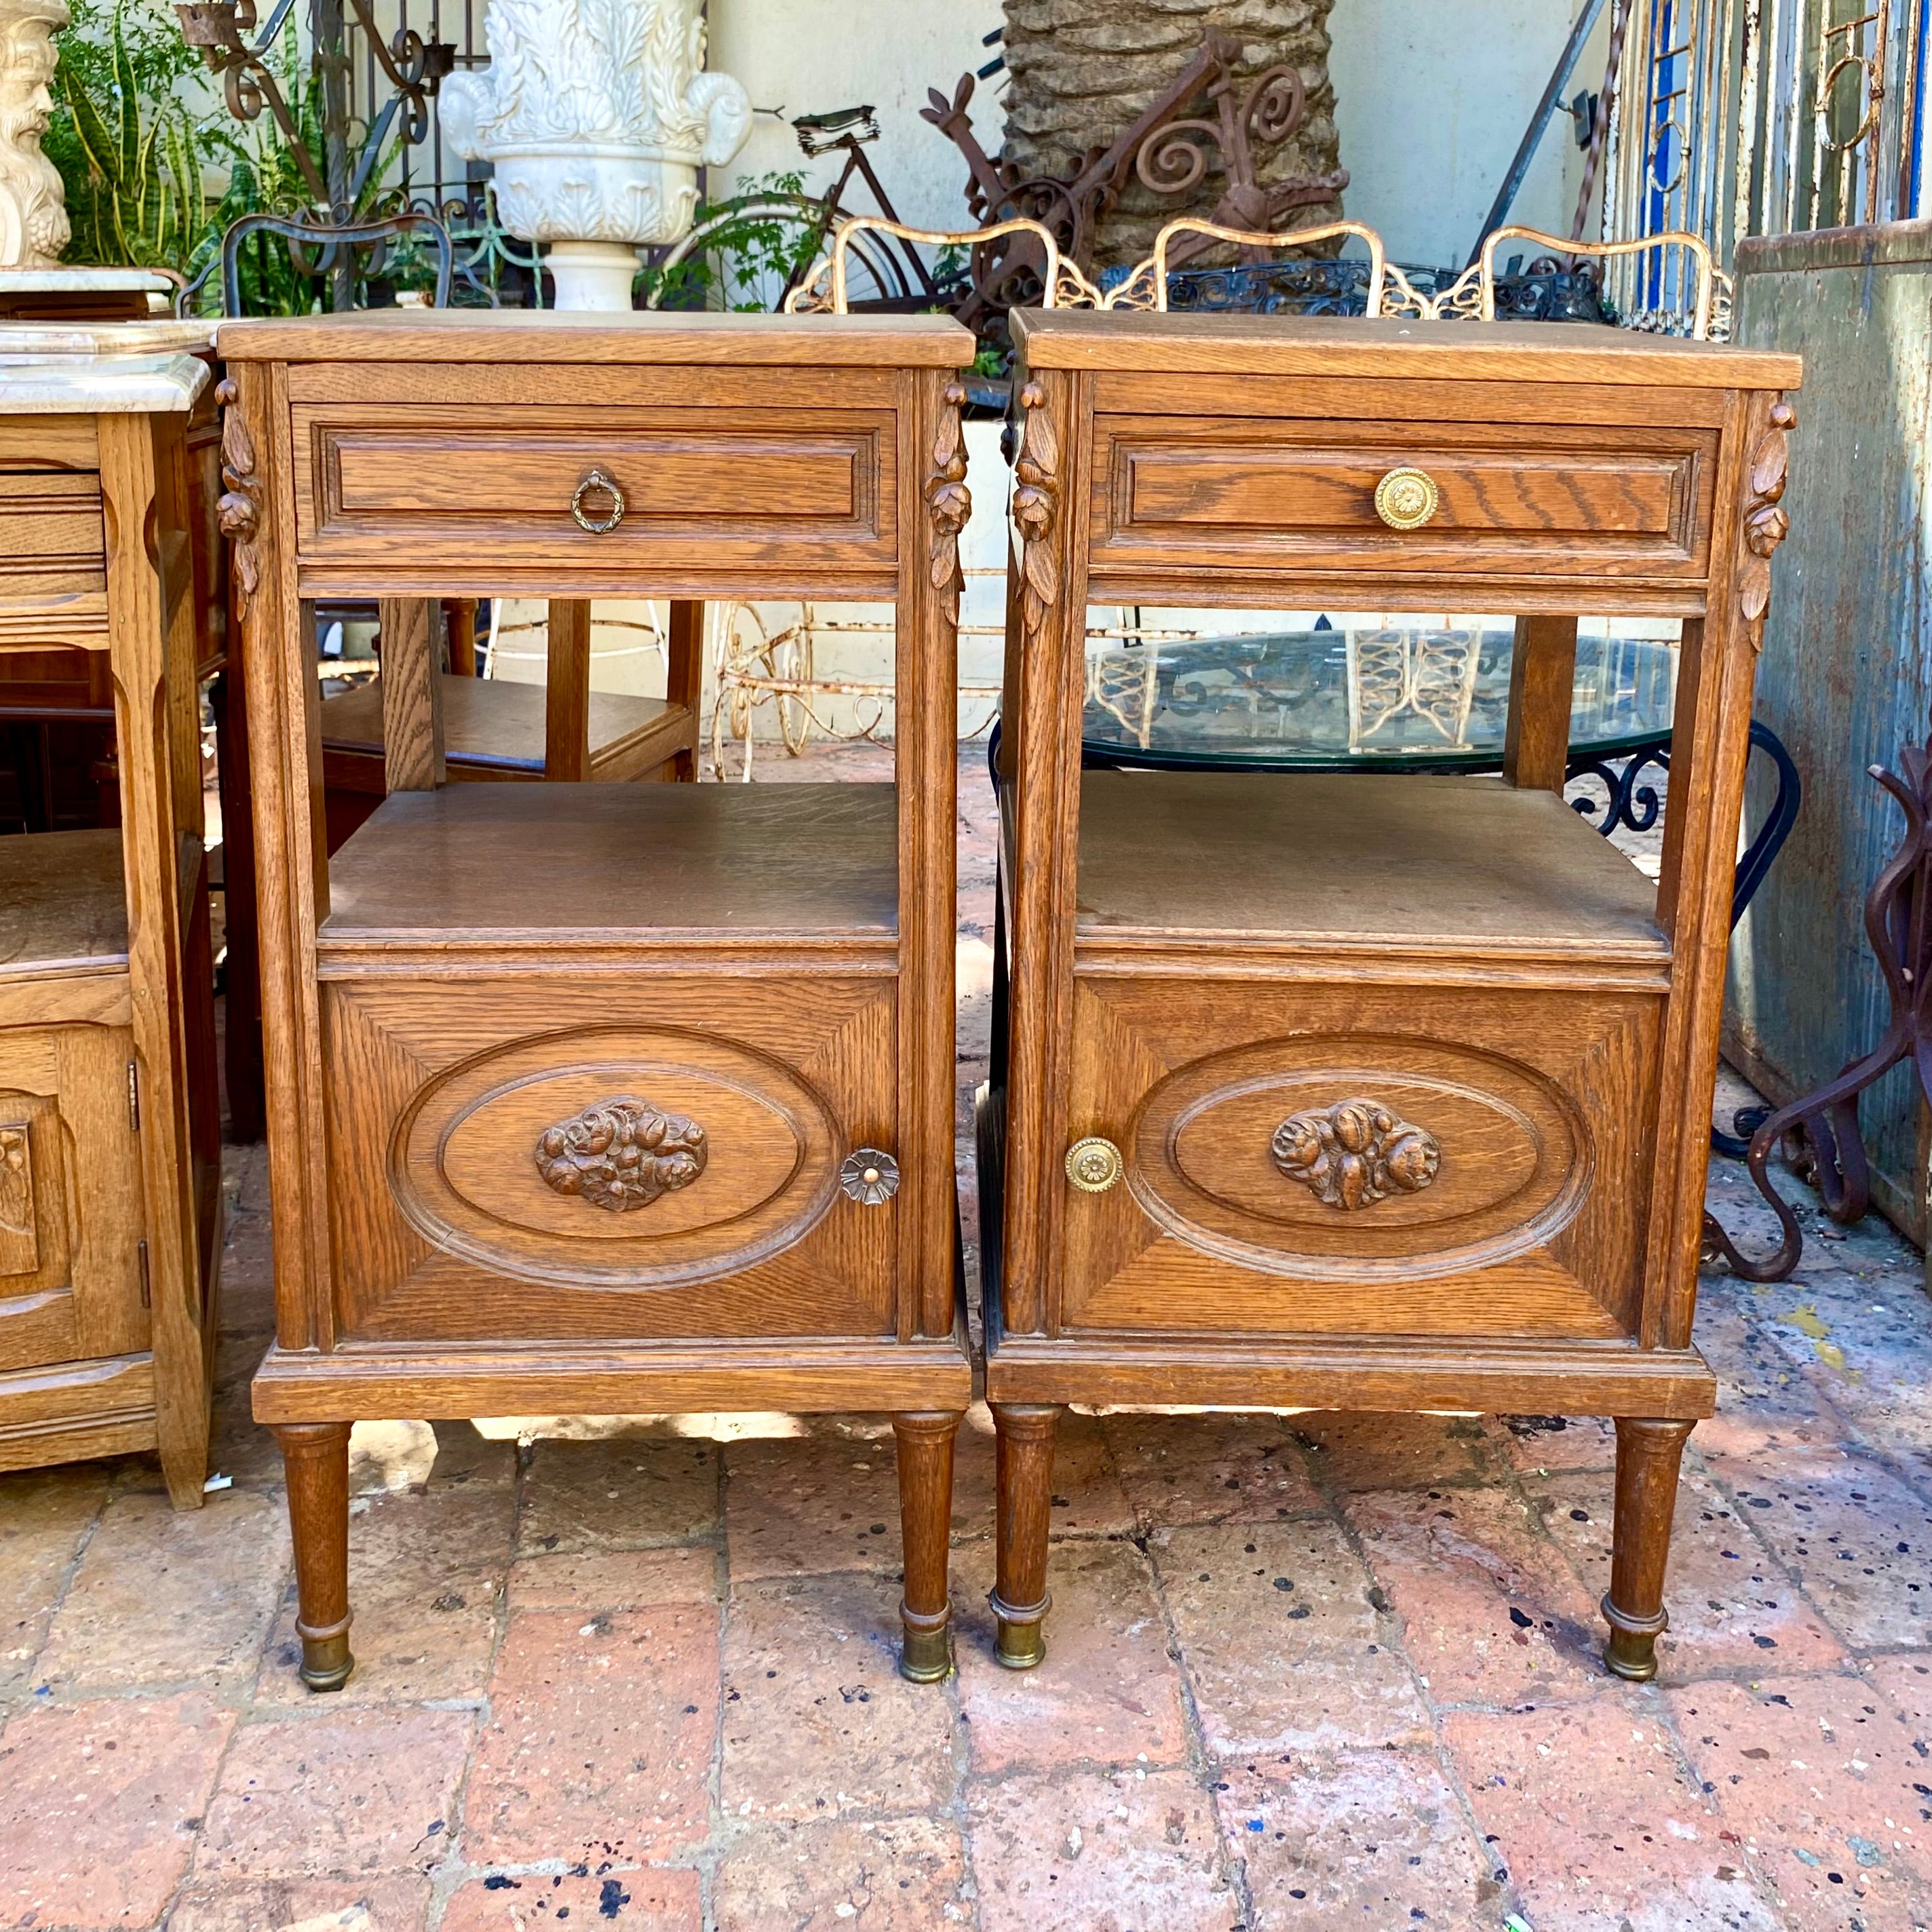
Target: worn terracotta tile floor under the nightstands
<point>1307,1672</point>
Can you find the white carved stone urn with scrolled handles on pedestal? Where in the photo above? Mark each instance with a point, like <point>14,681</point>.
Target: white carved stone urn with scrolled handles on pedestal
<point>596,117</point>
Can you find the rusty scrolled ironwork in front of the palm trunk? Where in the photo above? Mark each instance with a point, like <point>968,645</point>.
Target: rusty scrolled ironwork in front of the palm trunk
<point>1168,150</point>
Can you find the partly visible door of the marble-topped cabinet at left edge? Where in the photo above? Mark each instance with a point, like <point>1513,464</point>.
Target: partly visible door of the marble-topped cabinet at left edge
<point>71,1197</point>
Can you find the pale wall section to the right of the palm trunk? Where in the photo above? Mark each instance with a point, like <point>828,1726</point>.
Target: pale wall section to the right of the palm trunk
<point>1433,99</point>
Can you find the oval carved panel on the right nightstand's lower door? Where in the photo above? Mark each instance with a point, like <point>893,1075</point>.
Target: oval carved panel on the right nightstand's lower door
<point>1492,1156</point>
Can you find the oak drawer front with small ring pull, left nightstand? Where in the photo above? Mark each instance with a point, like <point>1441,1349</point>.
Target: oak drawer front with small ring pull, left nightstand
<point>704,490</point>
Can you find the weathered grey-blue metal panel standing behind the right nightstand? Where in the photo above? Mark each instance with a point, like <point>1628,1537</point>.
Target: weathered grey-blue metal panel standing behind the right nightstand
<point>1846,675</point>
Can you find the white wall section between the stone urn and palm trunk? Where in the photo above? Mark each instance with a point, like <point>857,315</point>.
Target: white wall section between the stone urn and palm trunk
<point>810,57</point>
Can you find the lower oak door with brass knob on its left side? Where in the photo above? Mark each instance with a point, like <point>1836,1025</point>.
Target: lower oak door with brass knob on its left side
<point>1319,1160</point>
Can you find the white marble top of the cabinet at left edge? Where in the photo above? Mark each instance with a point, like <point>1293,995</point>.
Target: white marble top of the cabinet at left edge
<point>94,368</point>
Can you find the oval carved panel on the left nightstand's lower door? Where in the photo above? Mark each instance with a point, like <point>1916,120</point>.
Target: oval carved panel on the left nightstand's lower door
<point>470,1172</point>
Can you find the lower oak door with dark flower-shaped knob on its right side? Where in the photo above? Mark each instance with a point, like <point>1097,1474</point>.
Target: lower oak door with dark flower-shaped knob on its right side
<point>525,1162</point>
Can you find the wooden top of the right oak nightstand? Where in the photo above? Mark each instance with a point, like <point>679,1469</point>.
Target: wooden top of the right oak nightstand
<point>1390,347</point>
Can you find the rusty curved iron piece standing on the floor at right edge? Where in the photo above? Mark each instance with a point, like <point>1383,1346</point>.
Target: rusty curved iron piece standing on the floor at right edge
<point>1821,1131</point>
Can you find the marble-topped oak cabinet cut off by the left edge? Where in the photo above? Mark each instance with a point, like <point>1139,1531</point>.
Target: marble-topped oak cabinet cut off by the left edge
<point>111,1224</point>
